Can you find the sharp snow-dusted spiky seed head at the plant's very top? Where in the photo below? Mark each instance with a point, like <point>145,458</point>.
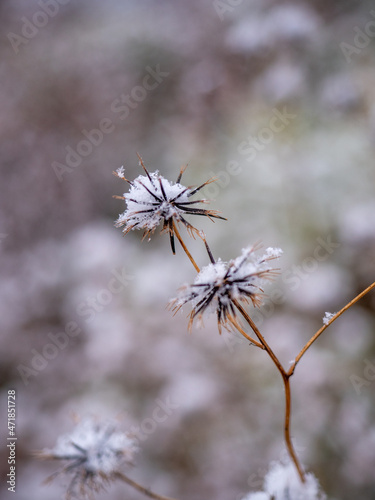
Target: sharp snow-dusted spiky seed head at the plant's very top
<point>152,200</point>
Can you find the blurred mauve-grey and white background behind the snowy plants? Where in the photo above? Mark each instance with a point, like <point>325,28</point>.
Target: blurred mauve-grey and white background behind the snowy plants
<point>275,99</point>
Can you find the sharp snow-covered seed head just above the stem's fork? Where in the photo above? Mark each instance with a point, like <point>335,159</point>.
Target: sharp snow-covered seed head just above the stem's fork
<point>220,284</point>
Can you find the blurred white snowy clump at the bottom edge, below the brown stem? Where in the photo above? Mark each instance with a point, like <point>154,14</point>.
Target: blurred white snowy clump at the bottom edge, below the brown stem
<point>282,482</point>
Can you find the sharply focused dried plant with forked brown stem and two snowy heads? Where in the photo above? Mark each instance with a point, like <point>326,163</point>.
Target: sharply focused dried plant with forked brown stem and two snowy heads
<point>223,287</point>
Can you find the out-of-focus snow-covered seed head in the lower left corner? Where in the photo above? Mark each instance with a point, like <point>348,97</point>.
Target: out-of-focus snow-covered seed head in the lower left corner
<point>94,454</point>
